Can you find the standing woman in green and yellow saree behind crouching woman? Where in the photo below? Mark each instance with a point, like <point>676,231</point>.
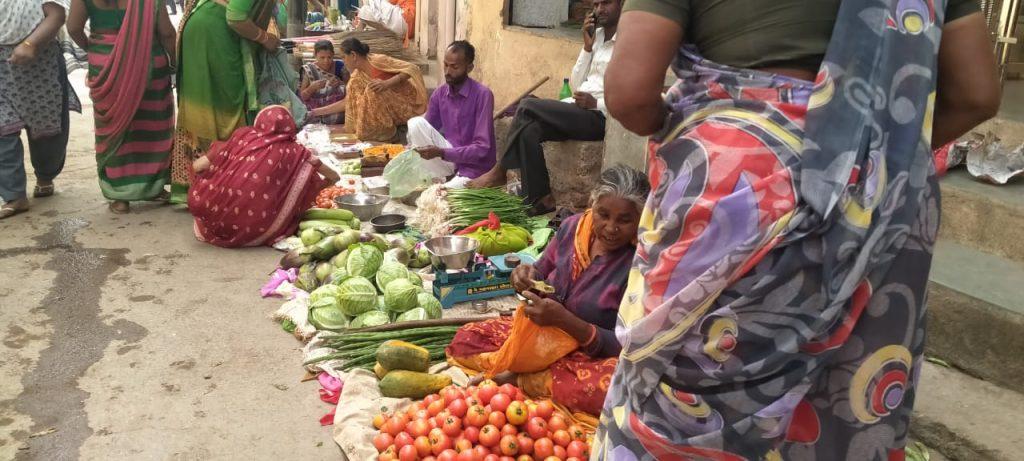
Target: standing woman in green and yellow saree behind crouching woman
<point>218,76</point>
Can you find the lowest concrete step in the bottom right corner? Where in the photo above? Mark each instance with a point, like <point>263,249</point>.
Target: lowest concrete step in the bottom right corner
<point>967,420</point>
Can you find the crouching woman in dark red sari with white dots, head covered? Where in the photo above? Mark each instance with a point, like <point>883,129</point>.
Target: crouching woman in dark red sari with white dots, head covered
<point>252,190</point>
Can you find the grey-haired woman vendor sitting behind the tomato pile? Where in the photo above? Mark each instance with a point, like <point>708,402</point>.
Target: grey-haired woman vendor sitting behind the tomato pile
<point>588,265</point>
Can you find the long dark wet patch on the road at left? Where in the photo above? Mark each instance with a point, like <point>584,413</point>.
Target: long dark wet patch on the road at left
<point>52,397</point>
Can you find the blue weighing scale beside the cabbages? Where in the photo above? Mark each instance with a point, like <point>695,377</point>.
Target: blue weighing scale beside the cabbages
<point>489,279</point>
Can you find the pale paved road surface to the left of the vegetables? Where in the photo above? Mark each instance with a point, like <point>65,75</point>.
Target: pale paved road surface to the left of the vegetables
<point>122,338</point>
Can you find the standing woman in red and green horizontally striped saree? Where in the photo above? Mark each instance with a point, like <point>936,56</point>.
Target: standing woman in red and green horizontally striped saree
<point>131,48</point>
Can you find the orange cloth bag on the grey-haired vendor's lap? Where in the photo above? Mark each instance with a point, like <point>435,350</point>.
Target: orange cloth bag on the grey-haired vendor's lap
<point>531,348</point>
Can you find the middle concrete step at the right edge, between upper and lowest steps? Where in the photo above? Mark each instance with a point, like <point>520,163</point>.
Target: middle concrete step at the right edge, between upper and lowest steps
<point>976,314</point>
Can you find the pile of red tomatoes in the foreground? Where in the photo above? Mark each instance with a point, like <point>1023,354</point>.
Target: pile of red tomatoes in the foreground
<point>480,424</point>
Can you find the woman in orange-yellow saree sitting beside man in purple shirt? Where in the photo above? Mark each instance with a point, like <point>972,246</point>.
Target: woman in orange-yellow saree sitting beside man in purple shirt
<point>382,94</point>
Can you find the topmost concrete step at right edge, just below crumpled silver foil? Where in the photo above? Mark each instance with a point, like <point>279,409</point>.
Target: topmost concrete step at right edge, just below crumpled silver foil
<point>984,217</point>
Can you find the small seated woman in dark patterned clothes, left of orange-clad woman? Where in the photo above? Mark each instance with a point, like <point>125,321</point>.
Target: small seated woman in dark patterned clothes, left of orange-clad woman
<point>324,83</point>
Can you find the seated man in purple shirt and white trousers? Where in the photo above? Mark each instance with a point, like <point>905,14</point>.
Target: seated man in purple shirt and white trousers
<point>458,127</point>
